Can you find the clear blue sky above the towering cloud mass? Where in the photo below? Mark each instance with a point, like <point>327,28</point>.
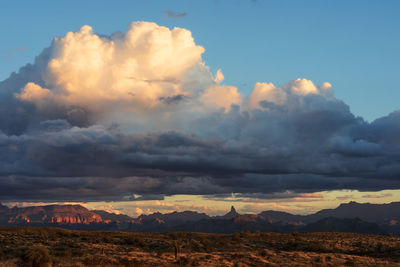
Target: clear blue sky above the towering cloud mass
<point>351,44</point>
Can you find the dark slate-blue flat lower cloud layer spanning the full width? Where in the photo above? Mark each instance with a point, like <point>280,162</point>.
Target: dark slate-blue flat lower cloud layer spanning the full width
<point>62,162</point>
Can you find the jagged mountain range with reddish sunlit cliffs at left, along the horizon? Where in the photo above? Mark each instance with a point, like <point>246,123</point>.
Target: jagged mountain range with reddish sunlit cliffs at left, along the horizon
<point>348,217</point>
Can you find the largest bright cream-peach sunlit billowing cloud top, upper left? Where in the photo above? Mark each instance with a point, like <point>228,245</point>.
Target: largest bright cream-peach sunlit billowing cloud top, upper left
<point>96,72</point>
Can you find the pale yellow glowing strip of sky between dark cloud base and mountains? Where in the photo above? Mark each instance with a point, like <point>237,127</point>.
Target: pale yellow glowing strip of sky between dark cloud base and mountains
<point>306,203</point>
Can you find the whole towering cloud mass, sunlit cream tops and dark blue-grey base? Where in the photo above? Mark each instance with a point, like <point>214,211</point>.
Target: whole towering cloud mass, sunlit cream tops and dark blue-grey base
<point>109,117</point>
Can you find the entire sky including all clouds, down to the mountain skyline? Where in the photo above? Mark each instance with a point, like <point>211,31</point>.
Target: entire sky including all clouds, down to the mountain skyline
<point>261,104</point>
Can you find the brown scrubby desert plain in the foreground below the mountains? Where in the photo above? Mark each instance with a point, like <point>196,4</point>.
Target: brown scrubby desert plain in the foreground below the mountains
<point>30,246</point>
